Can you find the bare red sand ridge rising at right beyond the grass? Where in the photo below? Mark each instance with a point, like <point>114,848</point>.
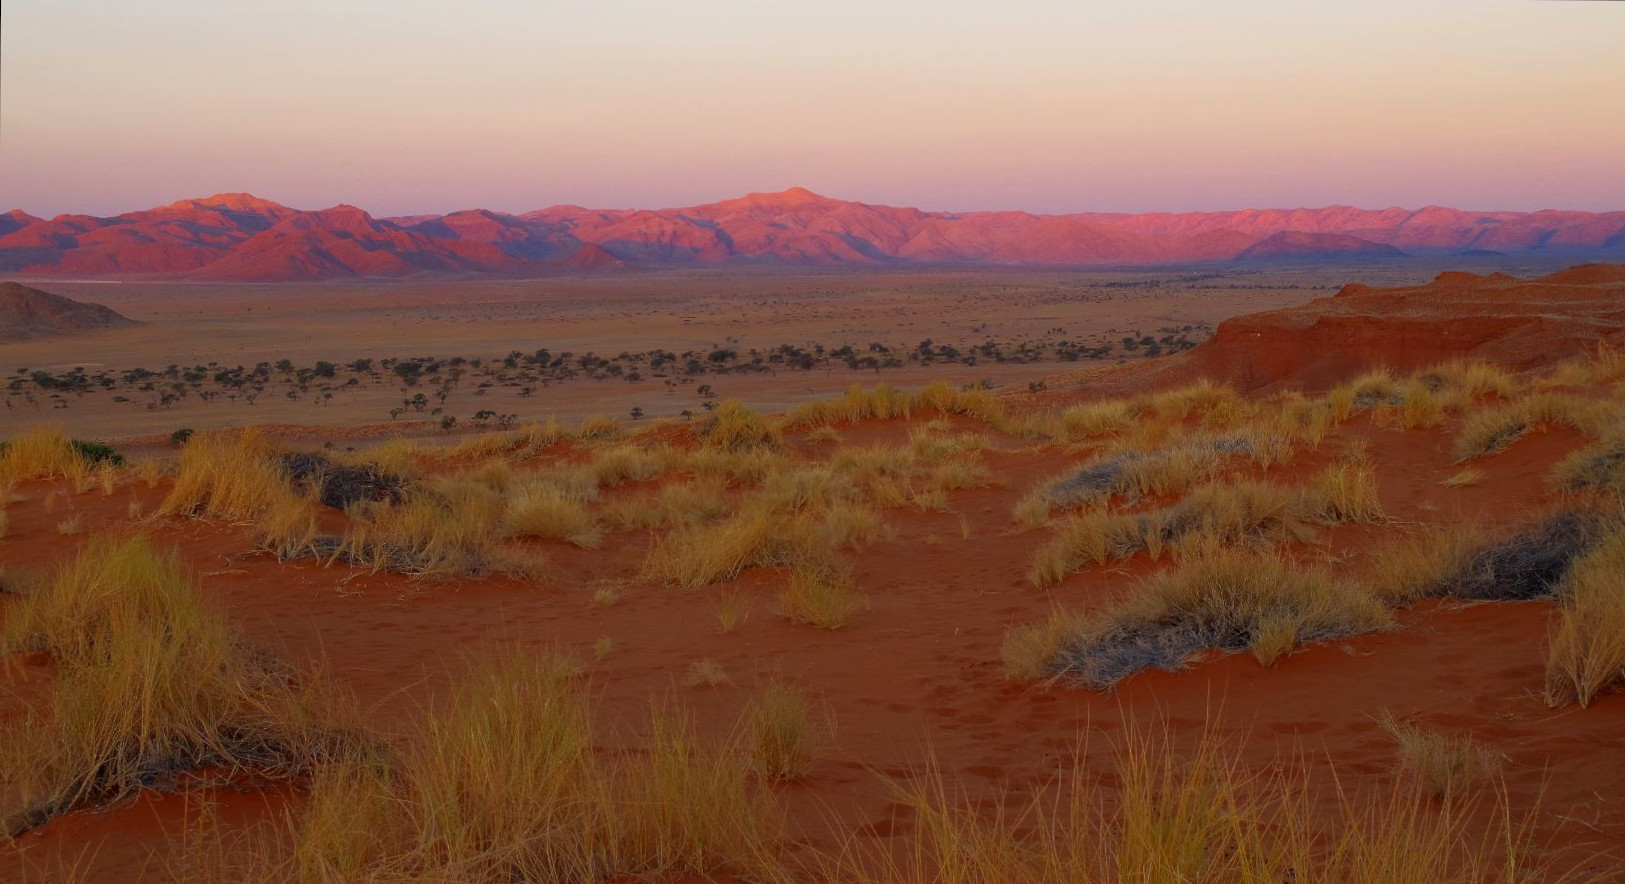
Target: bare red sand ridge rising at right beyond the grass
<point>1520,324</point>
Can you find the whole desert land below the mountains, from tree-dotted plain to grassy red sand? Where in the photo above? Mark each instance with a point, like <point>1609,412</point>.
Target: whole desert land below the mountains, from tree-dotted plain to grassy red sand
<point>1107,574</point>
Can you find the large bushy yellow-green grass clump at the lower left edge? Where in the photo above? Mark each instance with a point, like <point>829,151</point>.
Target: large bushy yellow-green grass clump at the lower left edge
<point>150,688</point>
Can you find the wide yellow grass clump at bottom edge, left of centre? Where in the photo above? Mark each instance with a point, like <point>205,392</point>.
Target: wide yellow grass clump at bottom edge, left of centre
<point>505,786</point>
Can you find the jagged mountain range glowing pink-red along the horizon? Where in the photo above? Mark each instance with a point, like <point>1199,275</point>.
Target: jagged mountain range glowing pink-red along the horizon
<point>243,238</point>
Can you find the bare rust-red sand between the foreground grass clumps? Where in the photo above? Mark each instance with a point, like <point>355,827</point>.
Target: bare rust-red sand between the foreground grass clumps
<point>916,675</point>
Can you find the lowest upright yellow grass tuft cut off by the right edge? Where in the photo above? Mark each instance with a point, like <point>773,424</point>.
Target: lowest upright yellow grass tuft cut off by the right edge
<point>1587,651</point>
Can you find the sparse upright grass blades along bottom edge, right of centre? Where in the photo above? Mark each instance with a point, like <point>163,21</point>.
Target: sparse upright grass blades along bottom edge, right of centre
<point>1185,815</point>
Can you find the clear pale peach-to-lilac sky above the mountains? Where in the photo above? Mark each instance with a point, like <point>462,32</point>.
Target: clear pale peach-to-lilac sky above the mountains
<point>414,106</point>
